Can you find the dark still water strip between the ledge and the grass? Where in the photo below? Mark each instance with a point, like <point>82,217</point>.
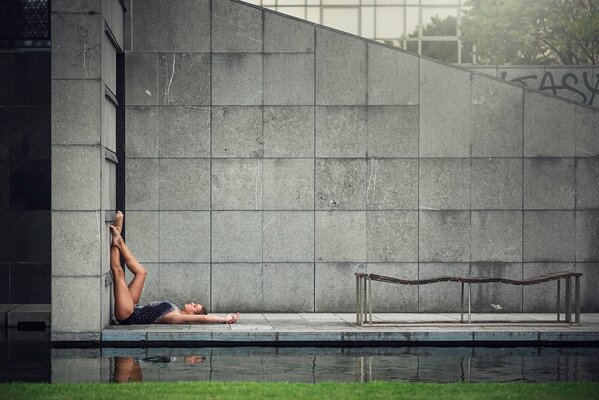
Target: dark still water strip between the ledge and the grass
<point>38,362</point>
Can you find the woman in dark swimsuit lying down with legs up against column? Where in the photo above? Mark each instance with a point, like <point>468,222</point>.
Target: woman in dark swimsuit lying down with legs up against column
<point>127,311</point>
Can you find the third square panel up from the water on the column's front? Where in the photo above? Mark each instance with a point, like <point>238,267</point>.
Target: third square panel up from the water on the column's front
<point>76,177</point>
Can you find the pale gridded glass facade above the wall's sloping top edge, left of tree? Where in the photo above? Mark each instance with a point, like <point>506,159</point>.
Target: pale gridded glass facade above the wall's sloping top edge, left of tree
<point>427,27</point>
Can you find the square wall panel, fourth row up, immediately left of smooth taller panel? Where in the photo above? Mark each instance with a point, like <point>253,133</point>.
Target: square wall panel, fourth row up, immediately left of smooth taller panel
<point>392,131</point>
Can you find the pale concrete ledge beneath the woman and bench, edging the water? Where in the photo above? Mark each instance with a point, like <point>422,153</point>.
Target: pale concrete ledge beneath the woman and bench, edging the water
<point>319,328</point>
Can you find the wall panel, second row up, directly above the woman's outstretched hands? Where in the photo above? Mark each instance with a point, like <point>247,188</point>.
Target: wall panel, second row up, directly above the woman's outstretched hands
<point>236,237</point>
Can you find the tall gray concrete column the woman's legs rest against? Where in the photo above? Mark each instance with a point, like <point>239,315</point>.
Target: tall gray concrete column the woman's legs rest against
<point>85,40</point>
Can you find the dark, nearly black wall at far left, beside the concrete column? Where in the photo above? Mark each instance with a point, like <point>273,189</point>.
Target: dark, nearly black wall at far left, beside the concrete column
<point>25,176</point>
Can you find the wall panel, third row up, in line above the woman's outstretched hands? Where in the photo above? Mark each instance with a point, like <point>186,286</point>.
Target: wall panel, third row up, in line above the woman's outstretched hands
<point>236,184</point>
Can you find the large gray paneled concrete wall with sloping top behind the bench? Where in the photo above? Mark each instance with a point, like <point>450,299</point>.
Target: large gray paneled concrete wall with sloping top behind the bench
<point>267,159</point>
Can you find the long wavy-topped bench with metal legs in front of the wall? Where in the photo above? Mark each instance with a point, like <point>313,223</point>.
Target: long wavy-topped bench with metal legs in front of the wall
<point>364,290</point>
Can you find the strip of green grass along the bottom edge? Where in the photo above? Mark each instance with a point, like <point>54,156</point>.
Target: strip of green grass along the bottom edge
<point>327,391</point>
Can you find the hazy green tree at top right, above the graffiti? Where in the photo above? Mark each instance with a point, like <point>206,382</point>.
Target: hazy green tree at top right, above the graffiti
<point>533,32</point>
